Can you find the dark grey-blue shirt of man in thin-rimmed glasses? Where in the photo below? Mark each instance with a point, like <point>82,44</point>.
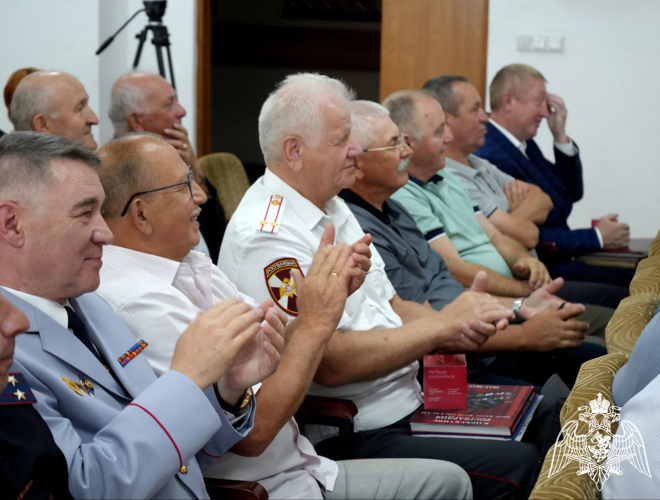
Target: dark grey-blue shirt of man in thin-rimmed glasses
<point>417,272</point>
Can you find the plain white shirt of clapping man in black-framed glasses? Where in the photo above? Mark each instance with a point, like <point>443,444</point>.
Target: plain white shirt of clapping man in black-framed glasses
<point>158,298</point>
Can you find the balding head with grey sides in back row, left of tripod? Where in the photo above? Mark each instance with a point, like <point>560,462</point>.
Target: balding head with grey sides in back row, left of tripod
<point>54,102</point>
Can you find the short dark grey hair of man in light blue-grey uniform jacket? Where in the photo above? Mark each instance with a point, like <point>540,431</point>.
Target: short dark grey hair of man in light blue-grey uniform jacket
<point>26,157</point>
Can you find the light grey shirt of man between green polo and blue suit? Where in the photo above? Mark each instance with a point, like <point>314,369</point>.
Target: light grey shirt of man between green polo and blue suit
<point>484,183</point>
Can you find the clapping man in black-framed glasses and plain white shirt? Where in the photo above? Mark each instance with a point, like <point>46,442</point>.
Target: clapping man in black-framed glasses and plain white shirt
<point>157,285</point>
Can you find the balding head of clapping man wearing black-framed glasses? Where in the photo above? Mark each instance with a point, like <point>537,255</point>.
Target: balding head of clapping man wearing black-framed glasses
<point>152,202</point>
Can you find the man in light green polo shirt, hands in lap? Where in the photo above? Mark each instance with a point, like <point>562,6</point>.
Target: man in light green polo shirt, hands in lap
<point>443,211</point>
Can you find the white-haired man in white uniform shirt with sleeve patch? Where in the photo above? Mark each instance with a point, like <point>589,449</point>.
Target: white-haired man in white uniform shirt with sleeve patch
<point>305,136</point>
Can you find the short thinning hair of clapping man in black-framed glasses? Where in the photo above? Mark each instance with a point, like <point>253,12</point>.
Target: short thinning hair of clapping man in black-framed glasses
<point>124,171</point>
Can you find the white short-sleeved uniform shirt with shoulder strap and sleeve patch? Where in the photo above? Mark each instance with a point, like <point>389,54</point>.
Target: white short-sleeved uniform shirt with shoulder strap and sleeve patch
<point>251,251</point>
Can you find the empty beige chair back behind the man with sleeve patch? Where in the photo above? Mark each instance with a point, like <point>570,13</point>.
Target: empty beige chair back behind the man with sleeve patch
<point>227,174</point>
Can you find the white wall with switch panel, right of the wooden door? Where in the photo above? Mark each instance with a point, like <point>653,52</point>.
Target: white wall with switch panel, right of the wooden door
<point>606,75</point>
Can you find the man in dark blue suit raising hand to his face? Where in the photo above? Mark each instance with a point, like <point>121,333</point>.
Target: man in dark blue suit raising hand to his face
<point>519,103</point>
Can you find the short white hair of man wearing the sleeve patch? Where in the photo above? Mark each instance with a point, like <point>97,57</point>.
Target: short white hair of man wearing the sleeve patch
<point>293,108</point>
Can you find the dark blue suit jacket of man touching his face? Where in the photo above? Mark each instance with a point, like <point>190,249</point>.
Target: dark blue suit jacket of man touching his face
<point>561,181</point>
